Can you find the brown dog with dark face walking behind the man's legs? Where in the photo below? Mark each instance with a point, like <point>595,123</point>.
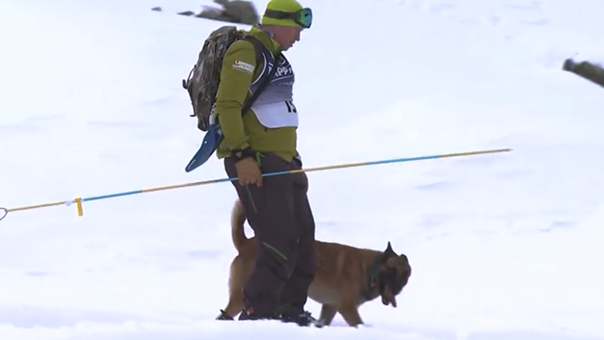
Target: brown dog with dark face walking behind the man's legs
<point>346,276</point>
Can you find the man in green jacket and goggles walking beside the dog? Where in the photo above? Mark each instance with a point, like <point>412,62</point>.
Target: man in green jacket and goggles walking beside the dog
<point>264,140</point>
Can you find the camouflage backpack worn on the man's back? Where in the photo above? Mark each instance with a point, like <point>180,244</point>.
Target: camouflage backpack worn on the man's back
<point>202,82</point>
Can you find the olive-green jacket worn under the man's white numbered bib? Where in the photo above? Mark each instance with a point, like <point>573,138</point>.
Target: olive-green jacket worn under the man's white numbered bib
<point>239,69</point>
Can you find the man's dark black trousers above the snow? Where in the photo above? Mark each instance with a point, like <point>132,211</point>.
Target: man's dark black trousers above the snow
<point>284,229</point>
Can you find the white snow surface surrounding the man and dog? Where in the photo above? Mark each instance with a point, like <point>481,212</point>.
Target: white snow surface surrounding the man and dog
<point>503,246</point>
